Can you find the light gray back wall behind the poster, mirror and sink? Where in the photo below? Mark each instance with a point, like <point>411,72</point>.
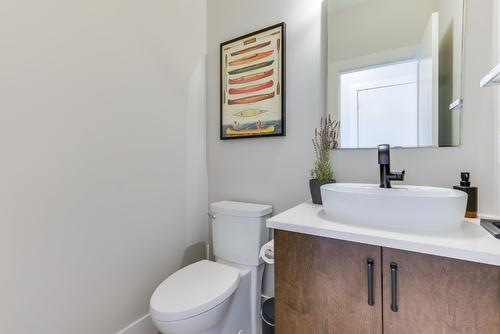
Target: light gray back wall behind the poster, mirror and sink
<point>276,170</point>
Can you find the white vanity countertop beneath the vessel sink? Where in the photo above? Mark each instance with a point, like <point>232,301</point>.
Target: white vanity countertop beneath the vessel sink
<point>471,242</point>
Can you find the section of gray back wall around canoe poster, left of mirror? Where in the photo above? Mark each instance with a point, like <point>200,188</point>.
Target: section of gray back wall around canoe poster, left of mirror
<point>271,170</point>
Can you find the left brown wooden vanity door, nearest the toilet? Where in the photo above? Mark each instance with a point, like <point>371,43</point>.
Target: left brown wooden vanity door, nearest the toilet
<point>321,286</point>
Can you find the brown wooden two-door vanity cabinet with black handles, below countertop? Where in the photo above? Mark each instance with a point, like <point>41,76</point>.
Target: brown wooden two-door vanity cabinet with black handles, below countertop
<point>325,286</point>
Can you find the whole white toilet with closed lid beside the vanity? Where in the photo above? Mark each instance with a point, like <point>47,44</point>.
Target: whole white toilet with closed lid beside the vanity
<point>221,297</point>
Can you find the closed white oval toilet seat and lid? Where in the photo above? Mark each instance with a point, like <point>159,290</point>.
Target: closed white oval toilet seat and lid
<point>193,290</point>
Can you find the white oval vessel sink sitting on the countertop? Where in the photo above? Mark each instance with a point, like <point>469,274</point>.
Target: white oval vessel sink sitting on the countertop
<point>422,209</point>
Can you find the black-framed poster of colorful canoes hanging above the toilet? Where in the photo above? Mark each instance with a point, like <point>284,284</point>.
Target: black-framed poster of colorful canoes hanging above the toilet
<point>252,80</point>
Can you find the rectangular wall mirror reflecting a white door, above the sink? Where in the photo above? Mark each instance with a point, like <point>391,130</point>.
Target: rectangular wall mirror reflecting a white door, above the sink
<point>394,71</point>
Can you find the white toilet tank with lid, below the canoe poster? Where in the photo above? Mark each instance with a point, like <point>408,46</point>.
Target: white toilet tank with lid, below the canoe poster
<point>239,231</point>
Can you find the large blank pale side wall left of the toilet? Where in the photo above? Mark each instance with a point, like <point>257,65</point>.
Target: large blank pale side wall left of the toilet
<point>97,167</point>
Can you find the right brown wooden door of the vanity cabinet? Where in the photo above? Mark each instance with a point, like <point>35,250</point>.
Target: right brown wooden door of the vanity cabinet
<point>439,295</point>
